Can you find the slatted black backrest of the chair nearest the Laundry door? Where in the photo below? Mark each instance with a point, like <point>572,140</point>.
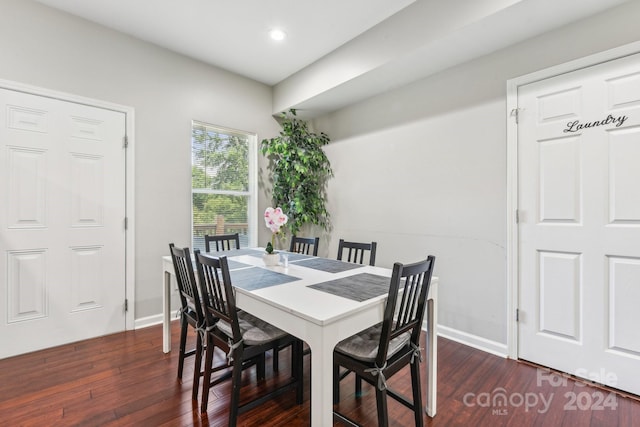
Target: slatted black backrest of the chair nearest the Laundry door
<point>405,310</point>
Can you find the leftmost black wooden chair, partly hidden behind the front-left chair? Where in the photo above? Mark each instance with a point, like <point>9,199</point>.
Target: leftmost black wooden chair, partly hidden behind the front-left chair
<point>190,308</point>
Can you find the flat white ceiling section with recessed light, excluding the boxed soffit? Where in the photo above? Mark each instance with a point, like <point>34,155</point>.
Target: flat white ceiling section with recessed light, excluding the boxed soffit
<point>233,34</point>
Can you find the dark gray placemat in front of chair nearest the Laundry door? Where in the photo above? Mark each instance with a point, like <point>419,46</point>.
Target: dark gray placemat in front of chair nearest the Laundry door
<point>359,287</point>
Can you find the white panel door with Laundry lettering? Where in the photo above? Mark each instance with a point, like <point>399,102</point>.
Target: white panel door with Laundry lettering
<point>579,229</point>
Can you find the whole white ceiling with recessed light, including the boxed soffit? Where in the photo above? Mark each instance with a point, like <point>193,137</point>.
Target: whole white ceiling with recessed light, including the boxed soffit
<point>338,51</point>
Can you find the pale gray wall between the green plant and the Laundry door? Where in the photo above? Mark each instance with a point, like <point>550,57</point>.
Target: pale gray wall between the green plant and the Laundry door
<point>422,170</point>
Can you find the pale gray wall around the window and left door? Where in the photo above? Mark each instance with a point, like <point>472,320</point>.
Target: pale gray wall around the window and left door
<point>42,47</point>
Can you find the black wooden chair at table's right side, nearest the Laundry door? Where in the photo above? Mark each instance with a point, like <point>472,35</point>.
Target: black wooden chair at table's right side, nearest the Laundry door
<point>379,352</point>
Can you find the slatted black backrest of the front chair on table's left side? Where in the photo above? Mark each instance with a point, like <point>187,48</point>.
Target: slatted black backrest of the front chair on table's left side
<point>218,299</point>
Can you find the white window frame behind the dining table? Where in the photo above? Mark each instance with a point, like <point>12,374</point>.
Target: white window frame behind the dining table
<point>251,193</point>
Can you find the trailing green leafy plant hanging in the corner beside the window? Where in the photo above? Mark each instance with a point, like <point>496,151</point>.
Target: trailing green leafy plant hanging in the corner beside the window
<point>300,171</point>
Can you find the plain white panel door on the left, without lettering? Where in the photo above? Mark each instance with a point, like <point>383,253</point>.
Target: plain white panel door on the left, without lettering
<point>62,208</point>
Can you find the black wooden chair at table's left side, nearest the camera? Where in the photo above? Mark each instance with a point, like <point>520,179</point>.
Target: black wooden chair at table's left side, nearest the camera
<point>242,336</point>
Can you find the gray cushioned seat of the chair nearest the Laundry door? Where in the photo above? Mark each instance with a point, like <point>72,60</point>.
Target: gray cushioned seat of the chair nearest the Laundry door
<point>364,345</point>
